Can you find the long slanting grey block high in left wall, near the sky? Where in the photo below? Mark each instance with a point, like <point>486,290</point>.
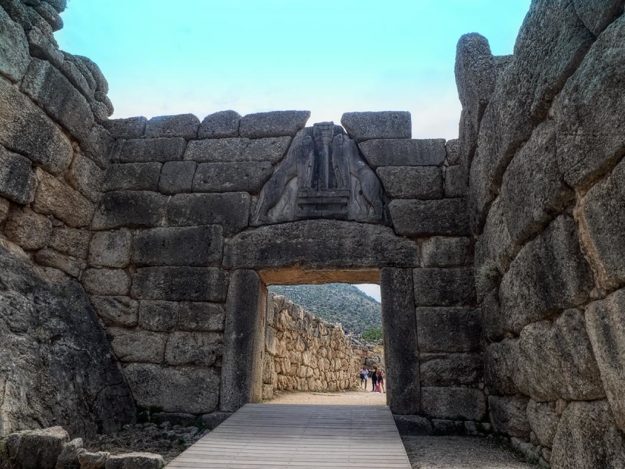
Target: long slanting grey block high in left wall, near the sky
<point>49,88</point>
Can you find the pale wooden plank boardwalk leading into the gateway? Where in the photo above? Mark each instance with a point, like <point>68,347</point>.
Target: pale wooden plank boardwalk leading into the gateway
<point>300,436</point>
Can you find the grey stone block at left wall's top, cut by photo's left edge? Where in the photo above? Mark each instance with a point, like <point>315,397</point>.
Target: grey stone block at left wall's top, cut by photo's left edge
<point>14,56</point>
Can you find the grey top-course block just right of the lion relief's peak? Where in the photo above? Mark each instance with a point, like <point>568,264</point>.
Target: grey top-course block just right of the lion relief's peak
<point>369,125</point>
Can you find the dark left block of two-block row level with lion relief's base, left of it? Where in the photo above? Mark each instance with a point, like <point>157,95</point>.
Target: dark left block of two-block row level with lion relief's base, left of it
<point>130,209</point>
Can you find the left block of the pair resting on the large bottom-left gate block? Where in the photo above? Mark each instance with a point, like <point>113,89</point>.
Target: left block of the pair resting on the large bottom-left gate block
<point>137,346</point>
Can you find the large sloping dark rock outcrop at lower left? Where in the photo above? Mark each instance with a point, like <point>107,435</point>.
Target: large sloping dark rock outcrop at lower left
<point>70,358</point>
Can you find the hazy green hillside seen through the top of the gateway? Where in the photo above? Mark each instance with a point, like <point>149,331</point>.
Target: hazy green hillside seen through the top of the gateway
<point>336,302</point>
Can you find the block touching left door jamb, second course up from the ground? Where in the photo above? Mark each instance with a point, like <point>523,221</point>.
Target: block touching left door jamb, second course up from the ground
<point>194,348</point>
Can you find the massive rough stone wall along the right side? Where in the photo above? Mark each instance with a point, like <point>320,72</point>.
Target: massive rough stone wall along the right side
<point>542,131</point>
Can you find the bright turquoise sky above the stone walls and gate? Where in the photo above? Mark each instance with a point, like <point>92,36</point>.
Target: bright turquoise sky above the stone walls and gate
<point>329,57</point>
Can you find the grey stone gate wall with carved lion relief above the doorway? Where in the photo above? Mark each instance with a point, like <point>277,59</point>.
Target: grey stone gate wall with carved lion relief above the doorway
<point>199,217</point>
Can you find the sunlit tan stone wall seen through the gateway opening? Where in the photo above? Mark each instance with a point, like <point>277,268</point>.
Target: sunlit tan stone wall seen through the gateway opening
<point>304,353</point>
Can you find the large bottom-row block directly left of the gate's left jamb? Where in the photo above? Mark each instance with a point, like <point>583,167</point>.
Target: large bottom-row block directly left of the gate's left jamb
<point>181,389</point>
